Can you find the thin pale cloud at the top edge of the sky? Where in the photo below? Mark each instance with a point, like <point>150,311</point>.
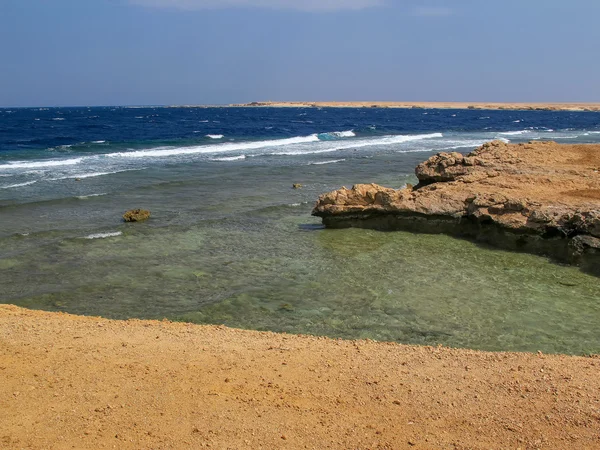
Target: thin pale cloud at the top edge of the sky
<point>301,5</point>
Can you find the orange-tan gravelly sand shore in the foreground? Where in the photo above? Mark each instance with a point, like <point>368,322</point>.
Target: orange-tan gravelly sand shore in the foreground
<point>82,382</point>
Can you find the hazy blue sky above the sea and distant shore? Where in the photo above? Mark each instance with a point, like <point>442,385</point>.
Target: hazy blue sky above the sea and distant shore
<point>165,52</point>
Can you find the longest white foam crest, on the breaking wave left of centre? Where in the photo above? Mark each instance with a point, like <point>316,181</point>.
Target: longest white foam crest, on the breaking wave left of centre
<point>219,148</point>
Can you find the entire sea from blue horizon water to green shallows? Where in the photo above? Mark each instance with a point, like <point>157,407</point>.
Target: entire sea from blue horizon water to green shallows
<point>230,241</point>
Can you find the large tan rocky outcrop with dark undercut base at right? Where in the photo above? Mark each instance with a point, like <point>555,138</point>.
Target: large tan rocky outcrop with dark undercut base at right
<point>540,197</point>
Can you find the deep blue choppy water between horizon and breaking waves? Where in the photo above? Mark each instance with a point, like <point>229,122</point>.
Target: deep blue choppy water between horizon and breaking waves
<point>44,129</point>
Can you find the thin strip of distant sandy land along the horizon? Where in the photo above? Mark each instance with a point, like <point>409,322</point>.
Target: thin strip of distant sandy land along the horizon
<point>439,105</point>
